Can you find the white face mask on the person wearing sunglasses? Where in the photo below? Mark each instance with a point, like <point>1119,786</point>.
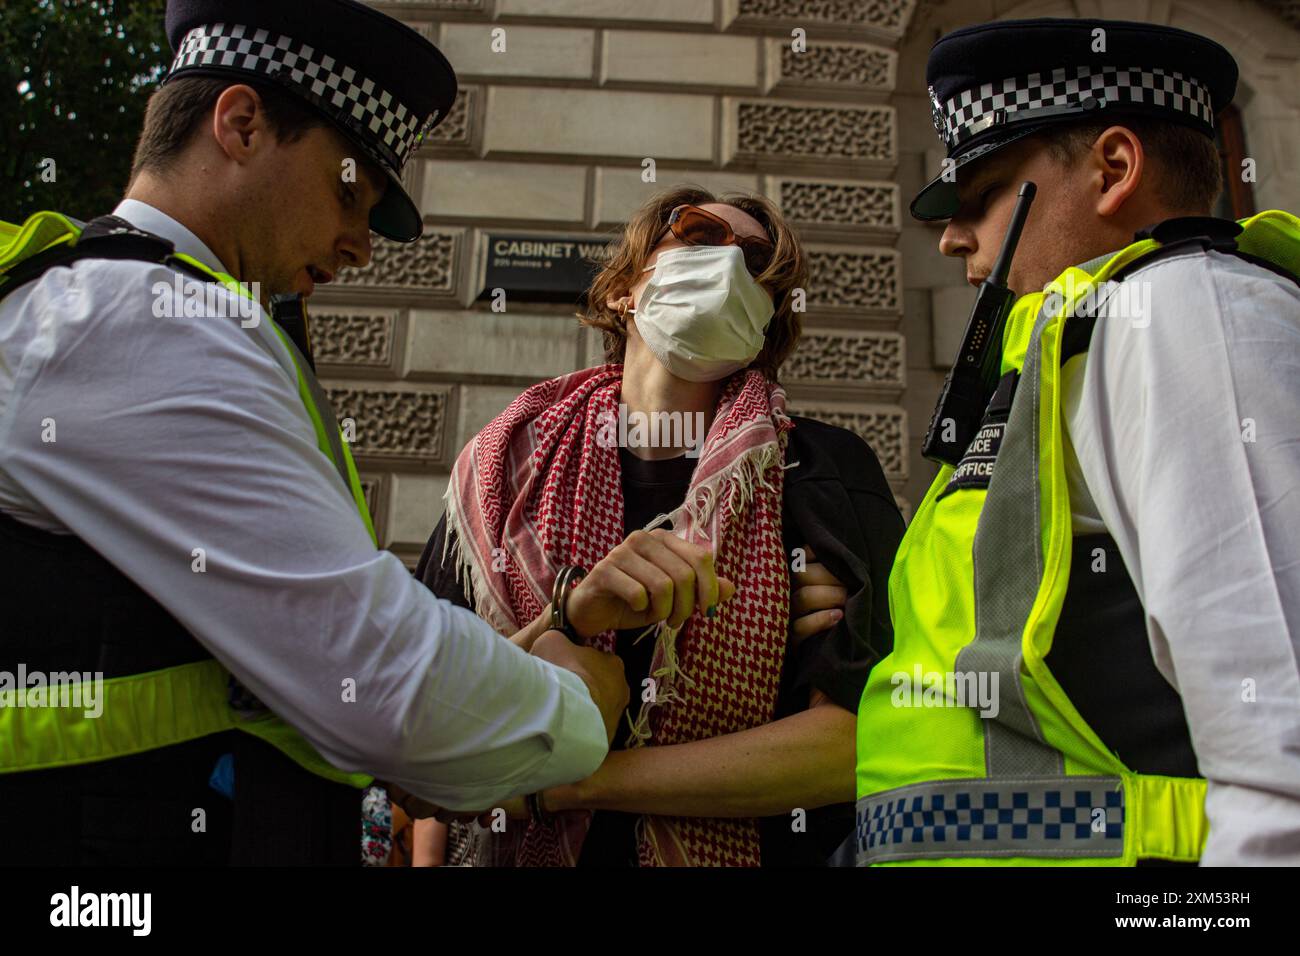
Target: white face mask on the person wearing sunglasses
<point>703,314</point>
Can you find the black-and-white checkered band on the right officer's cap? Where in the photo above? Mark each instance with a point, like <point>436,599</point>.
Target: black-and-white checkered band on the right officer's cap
<point>1043,96</point>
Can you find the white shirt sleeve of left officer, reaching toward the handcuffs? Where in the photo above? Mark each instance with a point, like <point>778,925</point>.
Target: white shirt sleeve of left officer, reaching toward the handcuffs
<point>177,435</point>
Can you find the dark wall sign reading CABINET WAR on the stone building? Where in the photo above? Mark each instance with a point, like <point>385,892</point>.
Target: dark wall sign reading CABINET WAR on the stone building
<point>541,269</point>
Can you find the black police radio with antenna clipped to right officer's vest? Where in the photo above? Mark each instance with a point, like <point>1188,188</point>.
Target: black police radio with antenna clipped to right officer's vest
<point>973,379</point>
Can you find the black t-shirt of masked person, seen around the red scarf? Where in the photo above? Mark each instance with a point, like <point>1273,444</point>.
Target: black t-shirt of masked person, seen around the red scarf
<point>838,503</point>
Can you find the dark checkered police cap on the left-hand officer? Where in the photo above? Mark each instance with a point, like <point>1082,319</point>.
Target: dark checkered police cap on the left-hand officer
<point>382,84</point>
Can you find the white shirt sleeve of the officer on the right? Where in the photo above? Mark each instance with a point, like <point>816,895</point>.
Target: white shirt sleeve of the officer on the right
<point>1188,431</point>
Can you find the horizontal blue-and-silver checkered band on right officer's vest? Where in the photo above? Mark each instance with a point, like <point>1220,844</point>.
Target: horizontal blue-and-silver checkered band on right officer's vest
<point>1041,816</point>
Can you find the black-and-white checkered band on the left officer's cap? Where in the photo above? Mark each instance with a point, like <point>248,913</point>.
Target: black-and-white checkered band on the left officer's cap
<point>359,103</point>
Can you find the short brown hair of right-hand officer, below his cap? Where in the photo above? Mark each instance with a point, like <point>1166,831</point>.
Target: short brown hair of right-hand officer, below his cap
<point>1190,168</point>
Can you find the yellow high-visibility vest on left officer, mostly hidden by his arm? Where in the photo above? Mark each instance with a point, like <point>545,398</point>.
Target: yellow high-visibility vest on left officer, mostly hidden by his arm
<point>145,712</point>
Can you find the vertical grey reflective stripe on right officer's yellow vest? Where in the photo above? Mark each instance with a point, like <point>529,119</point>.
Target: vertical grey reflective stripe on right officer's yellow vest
<point>1008,565</point>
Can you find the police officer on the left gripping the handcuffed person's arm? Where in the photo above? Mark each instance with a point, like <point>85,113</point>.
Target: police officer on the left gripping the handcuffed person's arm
<point>177,505</point>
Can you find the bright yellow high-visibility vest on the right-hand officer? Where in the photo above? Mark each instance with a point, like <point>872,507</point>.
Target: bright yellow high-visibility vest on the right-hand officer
<point>978,587</point>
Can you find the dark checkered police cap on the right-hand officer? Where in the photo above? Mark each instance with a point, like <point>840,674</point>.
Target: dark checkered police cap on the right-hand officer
<point>995,84</point>
